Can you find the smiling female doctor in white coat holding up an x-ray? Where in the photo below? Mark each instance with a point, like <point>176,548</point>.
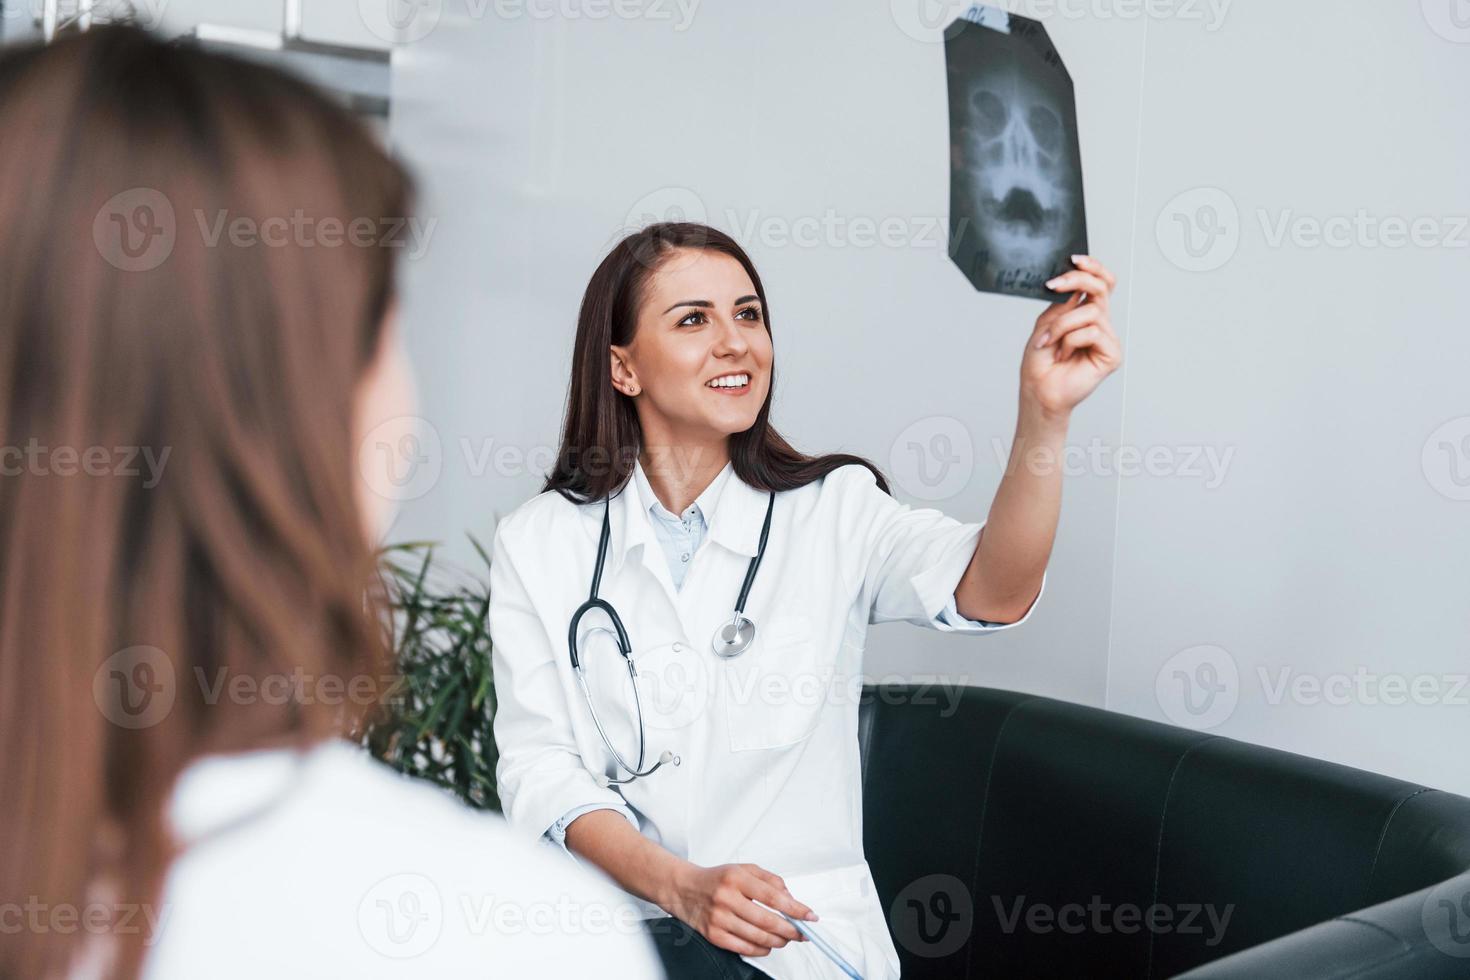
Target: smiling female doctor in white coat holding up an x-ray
<point>680,616</point>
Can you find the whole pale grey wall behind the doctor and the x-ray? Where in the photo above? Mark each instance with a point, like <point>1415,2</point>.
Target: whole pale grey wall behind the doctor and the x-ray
<point>1321,546</point>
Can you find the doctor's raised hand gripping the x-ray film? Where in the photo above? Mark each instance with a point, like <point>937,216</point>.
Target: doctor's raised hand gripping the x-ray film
<point>1072,347</point>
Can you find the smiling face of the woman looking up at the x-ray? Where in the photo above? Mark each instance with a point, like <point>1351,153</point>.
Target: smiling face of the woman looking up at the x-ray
<point>699,364</point>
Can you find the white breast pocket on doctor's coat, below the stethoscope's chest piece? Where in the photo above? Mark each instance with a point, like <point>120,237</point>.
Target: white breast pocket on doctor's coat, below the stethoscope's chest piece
<point>775,693</point>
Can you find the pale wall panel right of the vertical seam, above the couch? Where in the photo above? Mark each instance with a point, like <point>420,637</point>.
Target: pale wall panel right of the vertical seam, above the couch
<point>1328,553</point>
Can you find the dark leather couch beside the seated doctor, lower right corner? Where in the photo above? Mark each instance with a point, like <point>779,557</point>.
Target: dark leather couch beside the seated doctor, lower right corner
<point>1021,837</point>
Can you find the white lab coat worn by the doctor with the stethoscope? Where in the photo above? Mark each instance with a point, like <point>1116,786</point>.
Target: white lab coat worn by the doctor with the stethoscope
<point>770,768</point>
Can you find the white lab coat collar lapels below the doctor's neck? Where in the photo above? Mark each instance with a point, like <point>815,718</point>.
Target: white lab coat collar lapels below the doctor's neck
<point>740,511</point>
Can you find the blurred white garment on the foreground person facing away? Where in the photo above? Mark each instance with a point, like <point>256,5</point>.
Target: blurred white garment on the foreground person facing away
<point>329,865</point>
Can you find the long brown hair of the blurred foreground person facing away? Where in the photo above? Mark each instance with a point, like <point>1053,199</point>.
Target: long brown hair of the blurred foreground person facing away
<point>136,325</point>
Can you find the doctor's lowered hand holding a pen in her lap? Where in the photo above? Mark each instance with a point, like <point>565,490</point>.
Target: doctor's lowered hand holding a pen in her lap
<point>717,903</point>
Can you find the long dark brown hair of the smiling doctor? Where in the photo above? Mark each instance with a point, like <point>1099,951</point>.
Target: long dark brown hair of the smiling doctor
<point>602,437</point>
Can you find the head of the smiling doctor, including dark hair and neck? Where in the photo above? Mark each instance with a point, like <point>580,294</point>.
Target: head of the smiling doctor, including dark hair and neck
<point>673,370</point>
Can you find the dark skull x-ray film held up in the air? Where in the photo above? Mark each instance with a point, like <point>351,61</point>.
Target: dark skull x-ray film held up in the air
<point>1017,209</point>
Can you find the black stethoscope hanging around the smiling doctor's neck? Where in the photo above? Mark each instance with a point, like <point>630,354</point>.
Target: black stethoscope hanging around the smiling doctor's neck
<point>731,640</point>
